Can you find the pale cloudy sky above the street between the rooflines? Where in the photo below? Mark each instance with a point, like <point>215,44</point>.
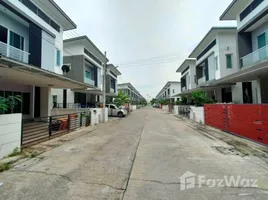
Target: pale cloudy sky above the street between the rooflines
<point>148,39</point>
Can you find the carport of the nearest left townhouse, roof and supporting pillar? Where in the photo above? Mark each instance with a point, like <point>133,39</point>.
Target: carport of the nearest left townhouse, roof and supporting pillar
<point>39,81</point>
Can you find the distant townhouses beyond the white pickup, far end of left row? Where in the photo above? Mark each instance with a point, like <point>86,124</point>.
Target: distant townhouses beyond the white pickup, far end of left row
<point>132,92</point>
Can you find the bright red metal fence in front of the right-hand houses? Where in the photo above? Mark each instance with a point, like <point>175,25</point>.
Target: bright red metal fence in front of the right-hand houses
<point>246,120</point>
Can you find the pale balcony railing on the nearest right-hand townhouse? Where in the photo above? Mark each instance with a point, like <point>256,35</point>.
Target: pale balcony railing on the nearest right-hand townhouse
<point>255,57</point>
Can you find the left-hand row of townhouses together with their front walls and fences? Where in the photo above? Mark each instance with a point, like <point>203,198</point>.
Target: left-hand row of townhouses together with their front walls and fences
<point>59,81</point>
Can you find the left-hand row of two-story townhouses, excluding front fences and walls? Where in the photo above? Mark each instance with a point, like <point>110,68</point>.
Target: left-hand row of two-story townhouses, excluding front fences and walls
<point>46,70</point>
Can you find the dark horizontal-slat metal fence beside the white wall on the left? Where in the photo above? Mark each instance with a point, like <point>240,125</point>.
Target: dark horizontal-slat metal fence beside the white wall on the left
<point>41,129</point>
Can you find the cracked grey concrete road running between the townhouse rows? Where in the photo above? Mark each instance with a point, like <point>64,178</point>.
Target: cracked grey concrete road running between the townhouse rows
<point>140,157</point>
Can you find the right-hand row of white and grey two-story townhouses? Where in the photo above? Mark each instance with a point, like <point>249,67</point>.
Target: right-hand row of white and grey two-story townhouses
<point>230,63</point>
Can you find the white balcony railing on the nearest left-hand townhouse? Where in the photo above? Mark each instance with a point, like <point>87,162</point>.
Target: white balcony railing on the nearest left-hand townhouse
<point>14,53</point>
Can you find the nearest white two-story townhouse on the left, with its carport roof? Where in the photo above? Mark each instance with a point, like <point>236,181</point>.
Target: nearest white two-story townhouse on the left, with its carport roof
<point>31,54</point>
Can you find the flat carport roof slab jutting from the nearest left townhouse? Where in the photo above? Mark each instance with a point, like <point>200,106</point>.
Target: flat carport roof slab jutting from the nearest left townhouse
<point>25,74</point>
